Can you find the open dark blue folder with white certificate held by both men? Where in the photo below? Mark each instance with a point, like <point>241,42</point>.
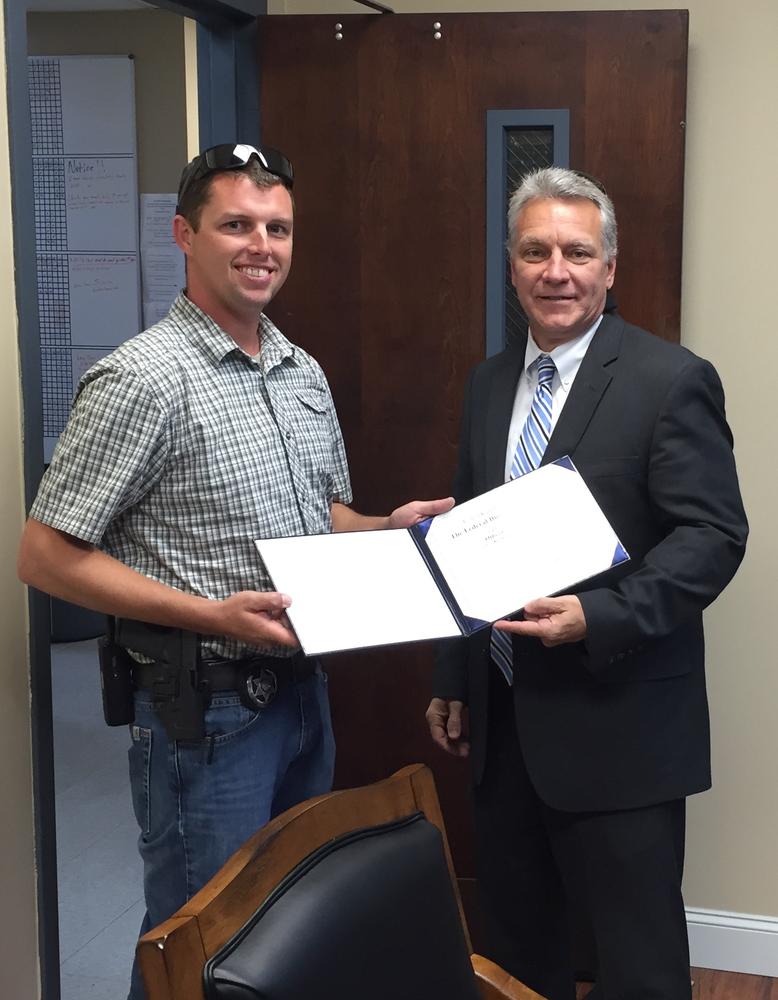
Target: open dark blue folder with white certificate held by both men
<point>449,575</point>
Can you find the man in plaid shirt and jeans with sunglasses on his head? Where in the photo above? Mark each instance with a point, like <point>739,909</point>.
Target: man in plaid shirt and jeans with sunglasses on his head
<point>204,432</point>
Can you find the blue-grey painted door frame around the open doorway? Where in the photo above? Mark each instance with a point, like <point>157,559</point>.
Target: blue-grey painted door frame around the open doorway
<point>228,109</point>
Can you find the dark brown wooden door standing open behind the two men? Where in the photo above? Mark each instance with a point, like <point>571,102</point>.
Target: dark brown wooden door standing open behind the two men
<point>386,129</point>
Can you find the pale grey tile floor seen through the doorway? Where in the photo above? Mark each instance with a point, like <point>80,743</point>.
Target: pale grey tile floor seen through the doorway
<point>99,872</point>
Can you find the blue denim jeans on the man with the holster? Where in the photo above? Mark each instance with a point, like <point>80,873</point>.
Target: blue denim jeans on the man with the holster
<point>196,803</point>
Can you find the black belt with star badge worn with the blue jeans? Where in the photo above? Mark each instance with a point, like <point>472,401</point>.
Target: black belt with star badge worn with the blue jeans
<point>255,678</point>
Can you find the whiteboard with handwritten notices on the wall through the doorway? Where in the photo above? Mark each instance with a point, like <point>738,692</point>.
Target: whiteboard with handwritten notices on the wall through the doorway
<point>82,110</point>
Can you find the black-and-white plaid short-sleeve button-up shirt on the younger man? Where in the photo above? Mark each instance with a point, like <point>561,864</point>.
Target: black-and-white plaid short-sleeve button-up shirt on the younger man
<point>181,449</point>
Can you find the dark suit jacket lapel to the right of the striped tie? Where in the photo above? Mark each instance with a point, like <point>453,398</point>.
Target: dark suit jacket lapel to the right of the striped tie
<point>590,383</point>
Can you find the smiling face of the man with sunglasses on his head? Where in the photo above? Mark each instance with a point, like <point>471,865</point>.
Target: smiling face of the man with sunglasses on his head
<point>240,254</point>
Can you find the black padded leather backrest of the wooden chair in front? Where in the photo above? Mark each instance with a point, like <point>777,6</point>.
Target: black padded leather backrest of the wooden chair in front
<point>370,916</point>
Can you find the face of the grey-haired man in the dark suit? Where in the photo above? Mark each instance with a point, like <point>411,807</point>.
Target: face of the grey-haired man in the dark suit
<point>559,269</point>
